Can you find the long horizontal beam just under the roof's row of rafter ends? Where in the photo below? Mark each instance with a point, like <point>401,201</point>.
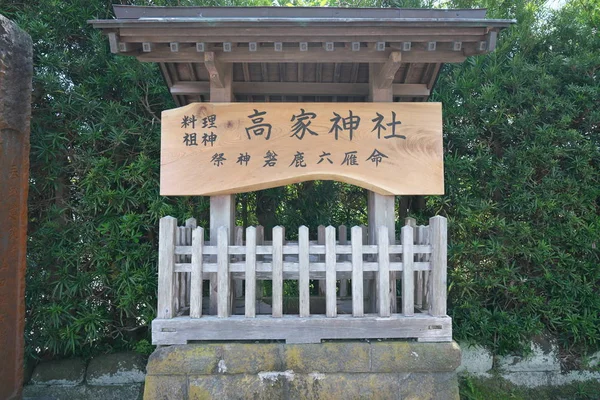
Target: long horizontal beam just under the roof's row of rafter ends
<point>312,55</point>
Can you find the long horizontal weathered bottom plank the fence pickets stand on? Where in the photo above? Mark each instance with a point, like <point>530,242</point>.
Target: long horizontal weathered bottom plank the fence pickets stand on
<point>294,329</point>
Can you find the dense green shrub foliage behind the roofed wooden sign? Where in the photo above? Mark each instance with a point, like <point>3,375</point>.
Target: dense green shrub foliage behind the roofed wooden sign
<point>522,140</point>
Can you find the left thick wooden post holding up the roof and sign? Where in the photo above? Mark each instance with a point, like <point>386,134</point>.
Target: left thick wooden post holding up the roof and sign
<point>222,208</point>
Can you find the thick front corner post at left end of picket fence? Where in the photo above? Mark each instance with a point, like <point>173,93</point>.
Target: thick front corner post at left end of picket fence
<point>166,265</point>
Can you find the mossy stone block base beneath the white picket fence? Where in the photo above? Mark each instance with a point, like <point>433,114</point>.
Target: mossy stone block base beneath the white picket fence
<point>335,370</point>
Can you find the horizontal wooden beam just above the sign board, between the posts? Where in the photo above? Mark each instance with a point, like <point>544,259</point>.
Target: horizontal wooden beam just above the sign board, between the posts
<point>300,89</point>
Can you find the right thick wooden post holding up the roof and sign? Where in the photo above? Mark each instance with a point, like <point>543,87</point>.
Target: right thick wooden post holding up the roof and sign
<point>380,208</point>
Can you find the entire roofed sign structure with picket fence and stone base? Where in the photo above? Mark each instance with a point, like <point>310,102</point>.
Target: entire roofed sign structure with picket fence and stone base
<point>271,96</point>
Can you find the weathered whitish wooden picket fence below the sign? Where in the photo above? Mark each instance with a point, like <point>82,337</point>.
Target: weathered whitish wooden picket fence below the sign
<point>417,260</point>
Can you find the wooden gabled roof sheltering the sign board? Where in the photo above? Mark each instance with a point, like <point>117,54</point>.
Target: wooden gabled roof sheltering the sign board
<point>300,53</point>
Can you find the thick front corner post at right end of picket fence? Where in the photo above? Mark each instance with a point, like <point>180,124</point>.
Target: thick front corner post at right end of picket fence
<point>439,254</point>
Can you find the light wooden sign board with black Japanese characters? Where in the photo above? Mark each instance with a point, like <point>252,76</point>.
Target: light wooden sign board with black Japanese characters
<point>225,148</point>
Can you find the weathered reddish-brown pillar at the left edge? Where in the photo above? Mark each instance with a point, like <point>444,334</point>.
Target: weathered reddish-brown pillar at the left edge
<point>16,69</point>
